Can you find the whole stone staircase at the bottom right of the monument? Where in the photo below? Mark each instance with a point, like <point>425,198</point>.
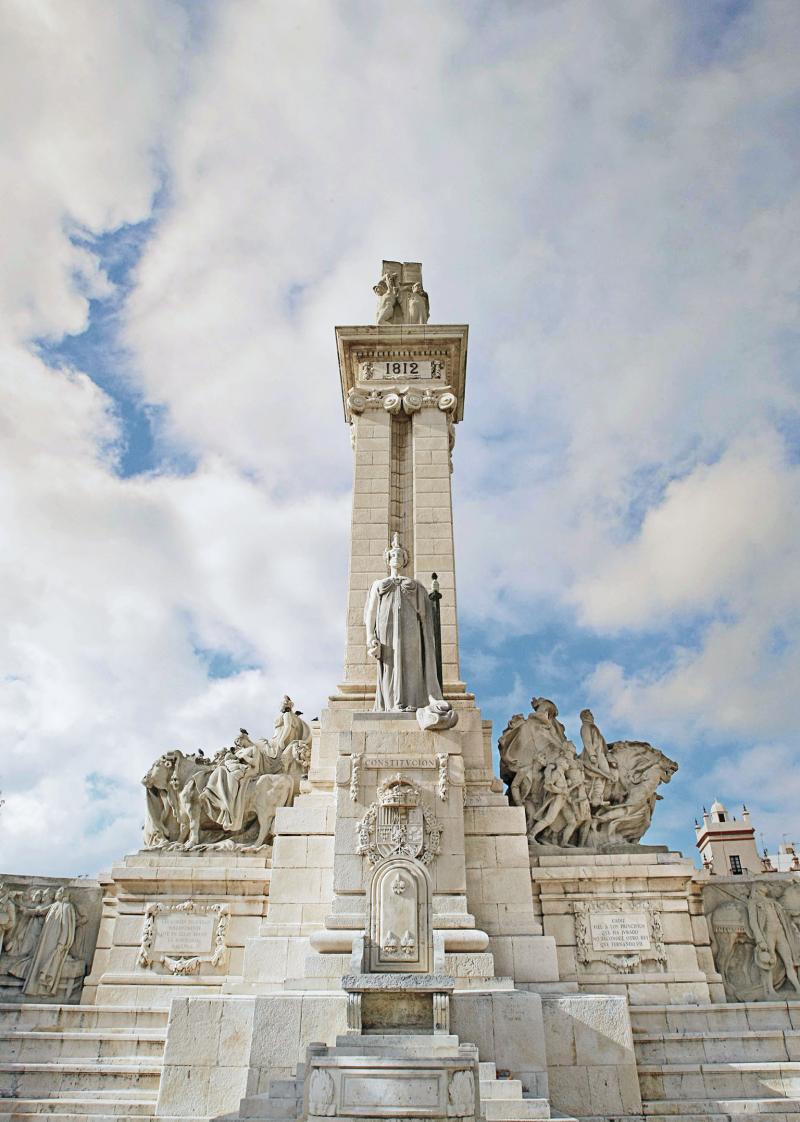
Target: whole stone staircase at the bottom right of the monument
<point>719,1063</point>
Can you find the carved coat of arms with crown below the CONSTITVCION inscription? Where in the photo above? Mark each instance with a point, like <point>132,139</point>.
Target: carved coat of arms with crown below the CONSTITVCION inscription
<point>399,824</point>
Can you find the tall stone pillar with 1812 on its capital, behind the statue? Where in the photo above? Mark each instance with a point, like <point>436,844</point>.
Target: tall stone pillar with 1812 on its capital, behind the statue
<point>403,396</point>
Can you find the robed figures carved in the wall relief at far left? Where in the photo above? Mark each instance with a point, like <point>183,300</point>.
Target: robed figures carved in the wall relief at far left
<point>38,932</point>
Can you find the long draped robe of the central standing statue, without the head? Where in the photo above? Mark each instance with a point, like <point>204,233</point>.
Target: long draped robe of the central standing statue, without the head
<point>399,615</point>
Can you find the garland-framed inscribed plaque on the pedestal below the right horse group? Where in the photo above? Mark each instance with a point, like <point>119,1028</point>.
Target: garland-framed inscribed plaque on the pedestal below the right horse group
<point>621,934</point>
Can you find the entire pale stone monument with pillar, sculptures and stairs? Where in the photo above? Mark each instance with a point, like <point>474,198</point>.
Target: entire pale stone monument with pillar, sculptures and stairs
<point>352,918</point>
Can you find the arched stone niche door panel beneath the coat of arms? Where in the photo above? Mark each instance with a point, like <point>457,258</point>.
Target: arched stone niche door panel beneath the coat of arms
<point>400,918</point>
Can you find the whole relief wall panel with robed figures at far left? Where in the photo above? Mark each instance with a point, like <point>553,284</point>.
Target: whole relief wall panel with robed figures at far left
<point>47,940</point>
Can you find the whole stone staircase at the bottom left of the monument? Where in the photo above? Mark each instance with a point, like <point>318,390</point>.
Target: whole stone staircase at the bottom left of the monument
<point>80,1062</point>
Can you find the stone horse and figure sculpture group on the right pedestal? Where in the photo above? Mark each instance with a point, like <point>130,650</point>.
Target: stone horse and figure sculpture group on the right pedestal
<point>604,796</point>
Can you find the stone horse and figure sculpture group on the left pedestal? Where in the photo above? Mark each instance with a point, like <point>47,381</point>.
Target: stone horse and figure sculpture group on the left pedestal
<point>231,801</point>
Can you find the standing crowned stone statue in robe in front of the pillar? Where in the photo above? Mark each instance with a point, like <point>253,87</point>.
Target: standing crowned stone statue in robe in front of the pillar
<point>400,637</point>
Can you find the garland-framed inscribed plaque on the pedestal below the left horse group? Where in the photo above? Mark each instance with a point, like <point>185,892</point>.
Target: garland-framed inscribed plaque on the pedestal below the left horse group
<point>171,931</point>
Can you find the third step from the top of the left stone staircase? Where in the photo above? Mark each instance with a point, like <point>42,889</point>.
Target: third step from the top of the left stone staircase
<point>53,1080</point>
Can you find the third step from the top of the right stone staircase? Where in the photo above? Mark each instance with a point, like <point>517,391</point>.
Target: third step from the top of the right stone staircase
<point>681,1082</point>
